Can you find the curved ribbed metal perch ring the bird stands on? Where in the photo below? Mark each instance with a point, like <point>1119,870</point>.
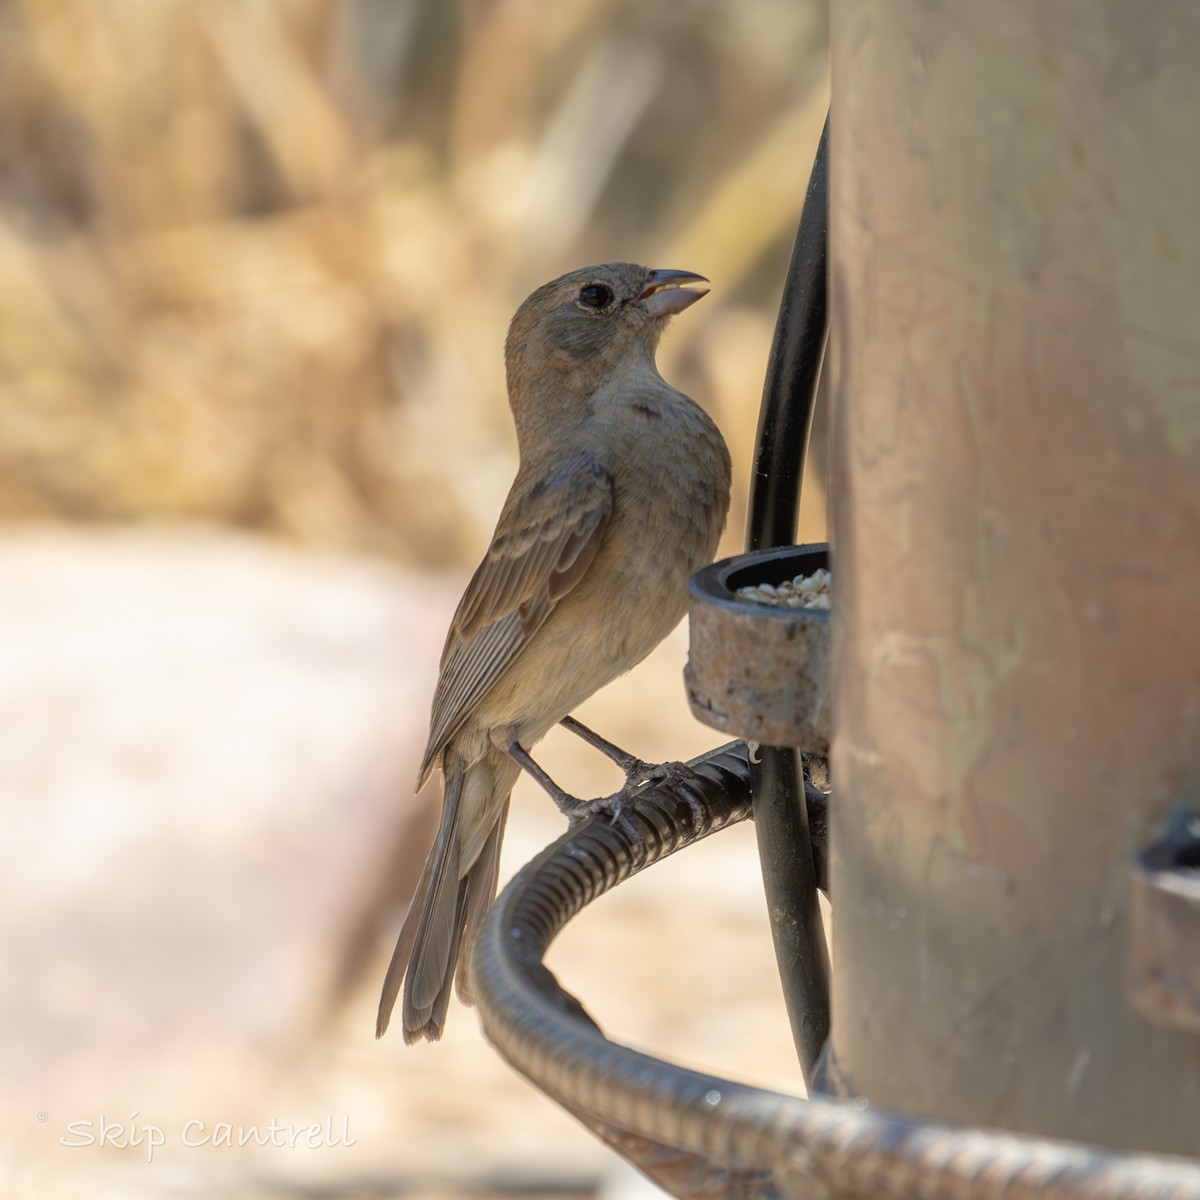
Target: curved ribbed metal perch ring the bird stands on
<point>699,1136</point>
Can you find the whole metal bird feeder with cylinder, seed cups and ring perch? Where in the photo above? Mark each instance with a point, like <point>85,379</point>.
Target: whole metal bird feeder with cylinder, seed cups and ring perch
<point>1011,695</point>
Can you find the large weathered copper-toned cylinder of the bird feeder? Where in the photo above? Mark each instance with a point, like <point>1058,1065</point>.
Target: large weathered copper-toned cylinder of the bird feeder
<point>1016,347</point>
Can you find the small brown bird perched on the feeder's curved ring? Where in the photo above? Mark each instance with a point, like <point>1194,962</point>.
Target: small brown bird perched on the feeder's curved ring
<point>622,494</point>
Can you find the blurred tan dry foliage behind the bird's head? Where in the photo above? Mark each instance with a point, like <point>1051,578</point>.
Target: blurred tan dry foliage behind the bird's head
<point>257,257</point>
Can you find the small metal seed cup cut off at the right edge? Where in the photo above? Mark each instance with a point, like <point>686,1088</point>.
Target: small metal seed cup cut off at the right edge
<point>1165,926</point>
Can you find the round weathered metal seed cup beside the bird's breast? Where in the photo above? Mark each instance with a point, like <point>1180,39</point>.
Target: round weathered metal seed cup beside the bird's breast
<point>754,670</point>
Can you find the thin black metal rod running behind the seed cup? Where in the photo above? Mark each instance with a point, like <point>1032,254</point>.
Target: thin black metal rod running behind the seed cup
<point>785,848</point>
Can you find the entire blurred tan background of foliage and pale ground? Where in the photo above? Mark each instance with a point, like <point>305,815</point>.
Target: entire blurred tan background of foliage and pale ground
<point>257,261</point>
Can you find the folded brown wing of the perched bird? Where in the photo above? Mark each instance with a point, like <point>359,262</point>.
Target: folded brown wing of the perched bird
<point>547,538</point>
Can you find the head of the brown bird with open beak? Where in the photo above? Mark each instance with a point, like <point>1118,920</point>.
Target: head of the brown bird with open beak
<point>583,327</point>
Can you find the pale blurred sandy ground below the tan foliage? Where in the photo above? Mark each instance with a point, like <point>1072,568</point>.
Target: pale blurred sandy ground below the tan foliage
<point>203,785</point>
